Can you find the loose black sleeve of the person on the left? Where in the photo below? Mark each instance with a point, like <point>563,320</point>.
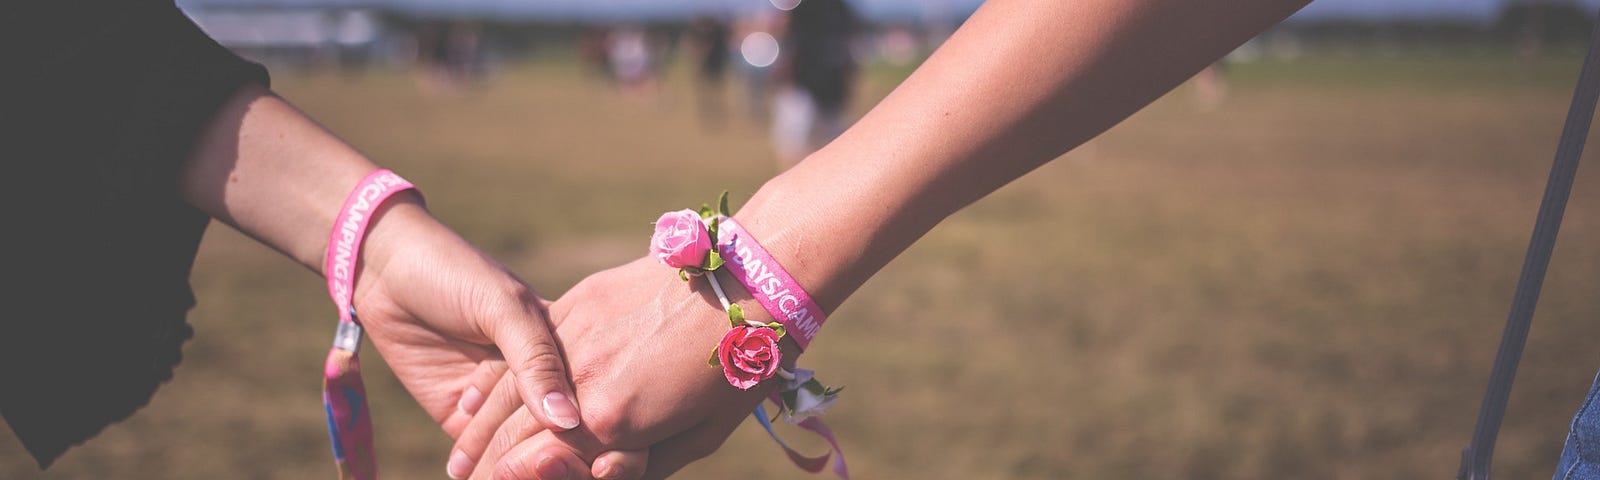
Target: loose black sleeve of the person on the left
<point>102,105</point>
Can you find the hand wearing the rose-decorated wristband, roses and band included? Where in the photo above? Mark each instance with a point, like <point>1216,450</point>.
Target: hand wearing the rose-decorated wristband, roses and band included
<point>641,342</point>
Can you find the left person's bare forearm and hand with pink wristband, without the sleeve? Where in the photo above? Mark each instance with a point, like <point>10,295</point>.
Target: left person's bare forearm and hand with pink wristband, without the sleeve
<point>436,308</point>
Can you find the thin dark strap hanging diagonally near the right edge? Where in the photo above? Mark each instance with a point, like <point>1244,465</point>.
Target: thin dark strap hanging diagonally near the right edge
<point>1476,458</point>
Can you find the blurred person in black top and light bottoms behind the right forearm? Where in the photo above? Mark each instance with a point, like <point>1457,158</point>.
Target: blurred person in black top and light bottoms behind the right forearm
<point>817,74</point>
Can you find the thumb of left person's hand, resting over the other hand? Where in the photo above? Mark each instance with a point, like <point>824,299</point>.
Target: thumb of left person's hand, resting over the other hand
<point>529,345</point>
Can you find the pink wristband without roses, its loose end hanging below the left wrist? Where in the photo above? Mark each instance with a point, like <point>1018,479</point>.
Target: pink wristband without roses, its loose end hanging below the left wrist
<point>343,394</point>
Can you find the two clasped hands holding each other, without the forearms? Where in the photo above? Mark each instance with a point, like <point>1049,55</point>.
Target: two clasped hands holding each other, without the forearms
<point>631,343</point>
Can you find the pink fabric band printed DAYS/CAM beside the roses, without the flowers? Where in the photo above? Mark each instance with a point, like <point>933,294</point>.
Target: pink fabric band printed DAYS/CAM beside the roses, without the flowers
<point>769,282</point>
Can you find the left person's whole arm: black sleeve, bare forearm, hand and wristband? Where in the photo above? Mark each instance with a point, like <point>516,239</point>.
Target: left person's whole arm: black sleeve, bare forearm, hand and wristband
<point>135,129</point>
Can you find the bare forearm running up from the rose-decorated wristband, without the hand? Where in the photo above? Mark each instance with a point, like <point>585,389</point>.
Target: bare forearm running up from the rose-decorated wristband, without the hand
<point>1018,86</point>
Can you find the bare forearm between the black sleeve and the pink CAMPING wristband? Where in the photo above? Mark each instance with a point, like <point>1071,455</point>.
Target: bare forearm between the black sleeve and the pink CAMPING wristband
<point>273,174</point>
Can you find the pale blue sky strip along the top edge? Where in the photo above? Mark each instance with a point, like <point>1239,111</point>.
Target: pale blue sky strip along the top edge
<point>900,10</point>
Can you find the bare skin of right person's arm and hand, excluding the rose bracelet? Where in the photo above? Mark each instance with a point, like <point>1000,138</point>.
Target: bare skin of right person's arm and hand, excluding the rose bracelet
<point>1015,87</point>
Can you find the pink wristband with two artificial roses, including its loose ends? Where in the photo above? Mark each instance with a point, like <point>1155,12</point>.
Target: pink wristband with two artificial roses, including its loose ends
<point>750,354</point>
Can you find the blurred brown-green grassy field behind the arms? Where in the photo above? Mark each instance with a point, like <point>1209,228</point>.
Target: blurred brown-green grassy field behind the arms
<point>1305,282</point>
